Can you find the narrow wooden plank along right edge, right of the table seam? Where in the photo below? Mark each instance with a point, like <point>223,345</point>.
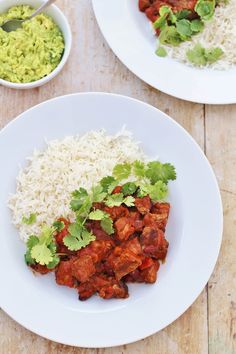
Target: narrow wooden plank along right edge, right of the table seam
<point>221,150</point>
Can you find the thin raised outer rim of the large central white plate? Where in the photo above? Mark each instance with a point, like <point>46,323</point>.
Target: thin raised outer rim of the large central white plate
<point>21,115</point>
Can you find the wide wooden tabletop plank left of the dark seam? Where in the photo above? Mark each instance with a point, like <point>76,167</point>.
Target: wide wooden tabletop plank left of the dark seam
<point>93,67</point>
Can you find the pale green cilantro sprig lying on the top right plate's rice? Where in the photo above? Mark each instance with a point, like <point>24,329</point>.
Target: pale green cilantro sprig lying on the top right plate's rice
<point>201,56</point>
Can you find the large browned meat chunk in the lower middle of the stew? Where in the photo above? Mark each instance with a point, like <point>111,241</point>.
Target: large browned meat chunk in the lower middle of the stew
<point>123,261</point>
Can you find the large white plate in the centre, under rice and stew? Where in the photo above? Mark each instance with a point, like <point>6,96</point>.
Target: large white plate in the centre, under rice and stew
<point>194,229</point>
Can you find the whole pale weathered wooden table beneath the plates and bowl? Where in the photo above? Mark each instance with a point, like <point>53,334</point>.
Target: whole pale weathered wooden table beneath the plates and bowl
<point>209,326</point>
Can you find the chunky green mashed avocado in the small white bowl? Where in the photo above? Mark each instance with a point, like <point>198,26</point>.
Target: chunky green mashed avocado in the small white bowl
<point>30,52</point>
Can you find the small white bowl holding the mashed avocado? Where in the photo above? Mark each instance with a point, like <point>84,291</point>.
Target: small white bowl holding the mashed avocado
<point>63,24</point>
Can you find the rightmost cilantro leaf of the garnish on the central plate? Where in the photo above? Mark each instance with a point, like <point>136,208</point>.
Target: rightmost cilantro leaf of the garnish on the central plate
<point>156,171</point>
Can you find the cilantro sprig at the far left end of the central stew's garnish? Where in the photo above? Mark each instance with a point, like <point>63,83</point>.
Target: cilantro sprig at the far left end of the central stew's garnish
<point>42,249</point>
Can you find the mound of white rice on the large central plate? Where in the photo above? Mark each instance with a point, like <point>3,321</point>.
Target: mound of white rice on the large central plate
<point>45,185</point>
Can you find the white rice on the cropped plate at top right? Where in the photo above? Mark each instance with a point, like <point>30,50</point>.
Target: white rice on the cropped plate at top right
<point>220,32</point>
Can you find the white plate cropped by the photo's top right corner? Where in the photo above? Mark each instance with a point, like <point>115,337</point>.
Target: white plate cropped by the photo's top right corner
<point>128,33</point>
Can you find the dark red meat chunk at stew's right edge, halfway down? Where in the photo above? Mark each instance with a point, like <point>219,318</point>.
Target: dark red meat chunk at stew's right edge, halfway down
<point>154,243</point>
